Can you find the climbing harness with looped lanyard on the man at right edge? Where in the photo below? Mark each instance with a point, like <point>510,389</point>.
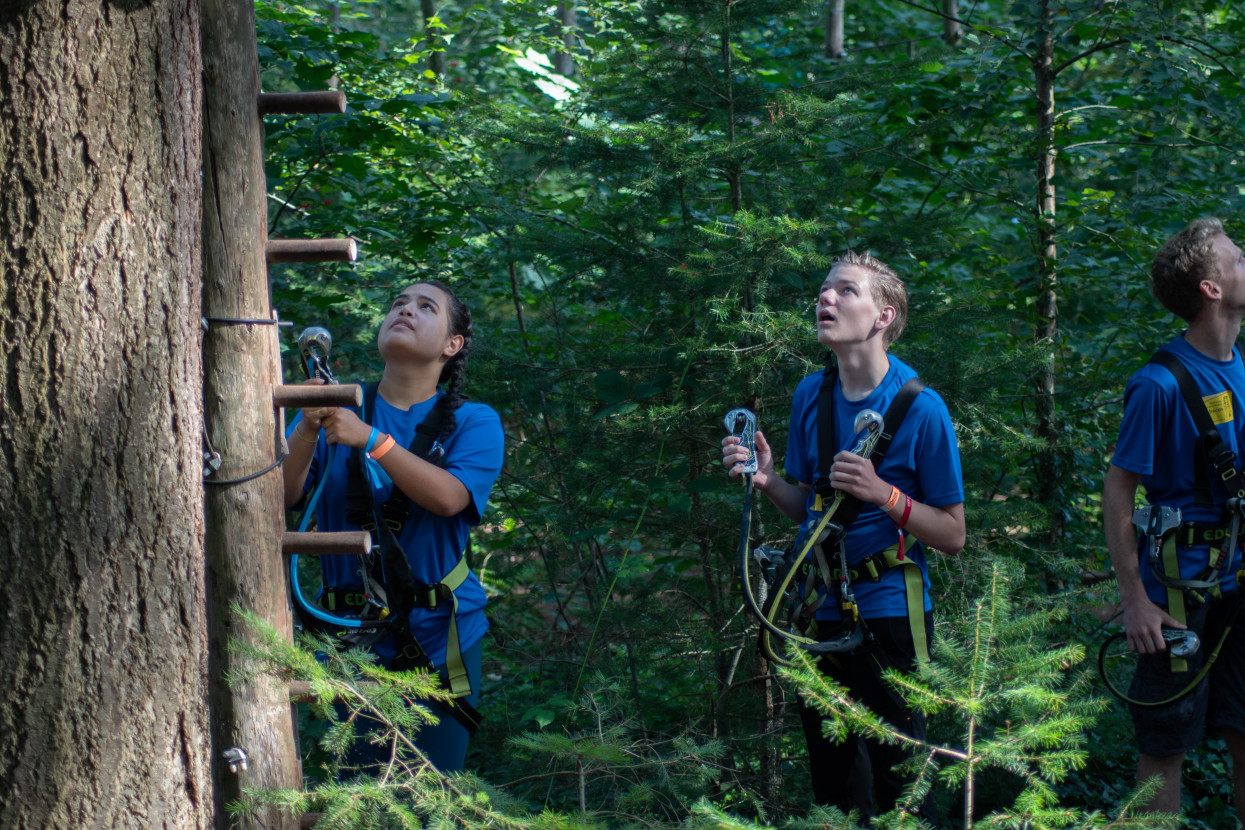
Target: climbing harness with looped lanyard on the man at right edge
<point>1167,533</point>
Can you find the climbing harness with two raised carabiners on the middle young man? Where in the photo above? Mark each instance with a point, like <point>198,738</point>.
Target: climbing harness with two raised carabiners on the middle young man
<point>839,511</point>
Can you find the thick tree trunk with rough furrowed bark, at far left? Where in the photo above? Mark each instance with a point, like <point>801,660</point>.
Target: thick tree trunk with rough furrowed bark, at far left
<point>104,720</point>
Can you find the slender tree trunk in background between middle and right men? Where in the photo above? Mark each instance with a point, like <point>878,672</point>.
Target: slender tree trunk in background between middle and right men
<point>1048,304</point>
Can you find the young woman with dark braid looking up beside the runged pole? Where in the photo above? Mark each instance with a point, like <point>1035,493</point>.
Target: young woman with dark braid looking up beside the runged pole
<point>425,340</point>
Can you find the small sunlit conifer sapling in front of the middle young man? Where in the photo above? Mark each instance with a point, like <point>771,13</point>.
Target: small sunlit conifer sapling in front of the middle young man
<point>1008,701</point>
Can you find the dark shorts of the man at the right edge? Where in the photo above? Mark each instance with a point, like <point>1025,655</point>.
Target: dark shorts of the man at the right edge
<point>1218,701</point>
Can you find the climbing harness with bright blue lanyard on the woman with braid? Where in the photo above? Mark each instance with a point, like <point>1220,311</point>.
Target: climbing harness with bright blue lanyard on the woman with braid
<point>389,593</point>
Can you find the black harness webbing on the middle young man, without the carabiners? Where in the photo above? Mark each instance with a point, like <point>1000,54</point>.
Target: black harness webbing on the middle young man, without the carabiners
<point>837,517</point>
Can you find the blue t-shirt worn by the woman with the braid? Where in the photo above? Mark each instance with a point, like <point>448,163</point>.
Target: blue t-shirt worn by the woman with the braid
<point>433,544</point>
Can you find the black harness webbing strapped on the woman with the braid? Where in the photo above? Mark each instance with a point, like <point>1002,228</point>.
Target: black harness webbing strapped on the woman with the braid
<point>397,579</point>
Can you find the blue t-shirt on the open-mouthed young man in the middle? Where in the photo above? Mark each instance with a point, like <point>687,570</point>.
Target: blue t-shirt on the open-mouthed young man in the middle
<point>923,462</point>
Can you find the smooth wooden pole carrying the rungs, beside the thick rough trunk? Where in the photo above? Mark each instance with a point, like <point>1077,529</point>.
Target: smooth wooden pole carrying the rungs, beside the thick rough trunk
<point>241,368</point>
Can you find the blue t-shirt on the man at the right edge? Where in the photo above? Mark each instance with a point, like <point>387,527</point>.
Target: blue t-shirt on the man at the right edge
<point>1158,441</point>
